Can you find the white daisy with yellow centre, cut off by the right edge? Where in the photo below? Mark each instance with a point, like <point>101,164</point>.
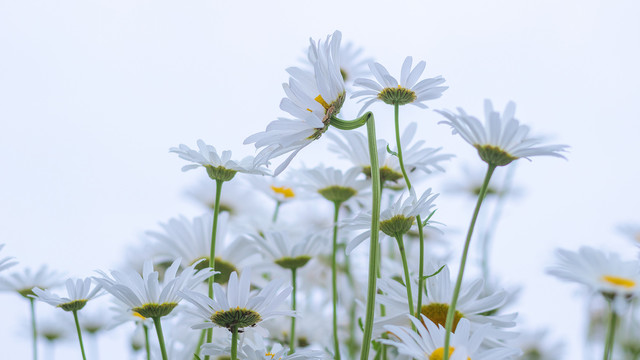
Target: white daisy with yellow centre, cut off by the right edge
<point>600,272</point>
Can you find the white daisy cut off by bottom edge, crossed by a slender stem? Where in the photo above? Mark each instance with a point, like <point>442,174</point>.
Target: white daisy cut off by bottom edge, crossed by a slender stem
<point>428,342</point>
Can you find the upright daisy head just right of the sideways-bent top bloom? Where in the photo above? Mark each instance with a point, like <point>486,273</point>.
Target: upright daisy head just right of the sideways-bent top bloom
<point>408,91</point>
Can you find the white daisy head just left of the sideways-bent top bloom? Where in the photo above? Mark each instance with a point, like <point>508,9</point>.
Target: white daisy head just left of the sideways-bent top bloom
<point>219,167</point>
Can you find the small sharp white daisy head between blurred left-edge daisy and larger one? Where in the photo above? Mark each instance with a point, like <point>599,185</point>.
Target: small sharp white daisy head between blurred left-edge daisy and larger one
<point>79,292</point>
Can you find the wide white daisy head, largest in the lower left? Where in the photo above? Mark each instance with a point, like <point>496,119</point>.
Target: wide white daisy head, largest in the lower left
<point>145,295</point>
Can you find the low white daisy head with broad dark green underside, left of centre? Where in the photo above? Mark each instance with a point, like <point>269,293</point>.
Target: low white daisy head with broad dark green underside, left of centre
<point>238,307</point>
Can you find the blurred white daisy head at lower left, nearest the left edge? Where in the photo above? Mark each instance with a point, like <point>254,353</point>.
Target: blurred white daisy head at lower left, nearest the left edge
<point>23,282</point>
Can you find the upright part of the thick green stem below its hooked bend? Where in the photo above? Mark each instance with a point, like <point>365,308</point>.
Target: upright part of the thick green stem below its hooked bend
<point>375,230</point>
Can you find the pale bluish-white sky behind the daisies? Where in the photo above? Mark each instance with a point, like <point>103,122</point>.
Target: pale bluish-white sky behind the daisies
<point>93,94</point>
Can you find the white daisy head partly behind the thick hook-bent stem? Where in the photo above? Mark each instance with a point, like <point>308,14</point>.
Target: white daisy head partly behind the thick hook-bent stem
<point>396,219</point>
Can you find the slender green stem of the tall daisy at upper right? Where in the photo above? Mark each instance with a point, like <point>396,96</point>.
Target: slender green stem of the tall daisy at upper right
<point>463,261</point>
